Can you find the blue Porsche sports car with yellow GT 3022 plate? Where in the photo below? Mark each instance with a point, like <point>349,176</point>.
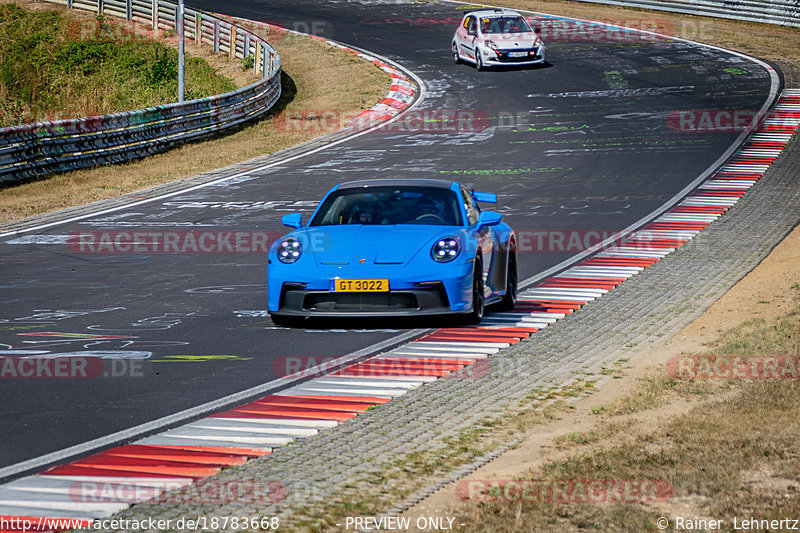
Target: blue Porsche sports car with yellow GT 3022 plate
<point>399,247</point>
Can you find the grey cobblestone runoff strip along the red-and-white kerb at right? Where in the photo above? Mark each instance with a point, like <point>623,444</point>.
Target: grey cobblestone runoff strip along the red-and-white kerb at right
<point>348,462</point>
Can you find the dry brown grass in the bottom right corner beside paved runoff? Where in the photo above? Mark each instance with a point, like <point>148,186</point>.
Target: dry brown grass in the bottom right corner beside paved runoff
<point>733,455</point>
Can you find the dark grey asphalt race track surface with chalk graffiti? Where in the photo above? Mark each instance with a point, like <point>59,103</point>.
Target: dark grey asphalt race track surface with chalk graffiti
<point>583,144</point>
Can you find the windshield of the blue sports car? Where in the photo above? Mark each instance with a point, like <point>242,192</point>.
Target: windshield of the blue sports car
<point>389,205</point>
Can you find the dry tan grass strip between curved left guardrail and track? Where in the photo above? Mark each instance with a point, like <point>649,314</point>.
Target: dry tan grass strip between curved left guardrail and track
<point>316,77</point>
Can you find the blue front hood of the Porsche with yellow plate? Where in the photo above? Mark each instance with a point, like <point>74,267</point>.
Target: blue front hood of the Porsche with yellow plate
<point>354,244</point>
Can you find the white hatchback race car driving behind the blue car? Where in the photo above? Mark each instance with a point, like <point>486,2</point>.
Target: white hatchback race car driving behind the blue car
<point>496,37</point>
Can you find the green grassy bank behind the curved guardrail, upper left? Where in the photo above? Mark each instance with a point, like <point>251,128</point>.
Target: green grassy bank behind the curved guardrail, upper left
<point>55,66</point>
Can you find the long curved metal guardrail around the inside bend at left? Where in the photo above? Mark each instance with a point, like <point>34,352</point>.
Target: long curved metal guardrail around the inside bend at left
<point>42,148</point>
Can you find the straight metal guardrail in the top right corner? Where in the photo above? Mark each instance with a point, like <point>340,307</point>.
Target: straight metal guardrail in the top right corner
<point>780,12</point>
